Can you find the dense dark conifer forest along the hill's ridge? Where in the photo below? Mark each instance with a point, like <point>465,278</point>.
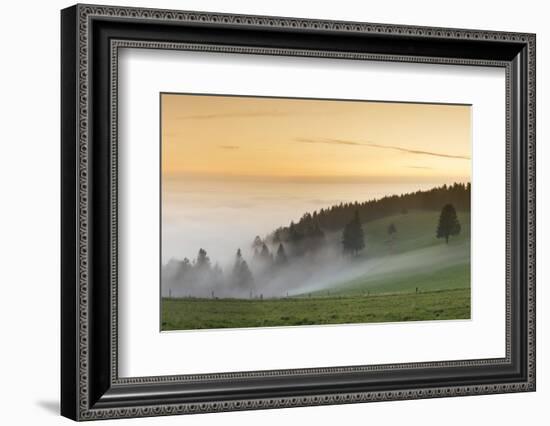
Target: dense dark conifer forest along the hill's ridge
<point>335,218</point>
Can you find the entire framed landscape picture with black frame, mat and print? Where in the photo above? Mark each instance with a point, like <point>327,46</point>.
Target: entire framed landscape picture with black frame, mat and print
<point>263,212</point>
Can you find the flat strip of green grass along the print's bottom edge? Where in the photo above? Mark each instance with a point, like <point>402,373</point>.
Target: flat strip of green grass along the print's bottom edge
<point>184,314</point>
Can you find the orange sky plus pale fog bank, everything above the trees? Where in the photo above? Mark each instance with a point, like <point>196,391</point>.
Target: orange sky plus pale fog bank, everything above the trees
<point>237,167</point>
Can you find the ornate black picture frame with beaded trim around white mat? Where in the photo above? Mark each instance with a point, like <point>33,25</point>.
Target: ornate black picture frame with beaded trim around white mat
<point>91,36</point>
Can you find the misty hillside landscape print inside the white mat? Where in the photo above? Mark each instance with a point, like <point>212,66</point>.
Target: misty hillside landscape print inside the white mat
<point>292,212</point>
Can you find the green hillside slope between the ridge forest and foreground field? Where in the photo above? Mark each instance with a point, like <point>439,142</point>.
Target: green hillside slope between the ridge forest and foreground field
<point>413,260</point>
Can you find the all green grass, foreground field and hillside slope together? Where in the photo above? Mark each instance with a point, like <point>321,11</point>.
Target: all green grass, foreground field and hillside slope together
<point>414,276</point>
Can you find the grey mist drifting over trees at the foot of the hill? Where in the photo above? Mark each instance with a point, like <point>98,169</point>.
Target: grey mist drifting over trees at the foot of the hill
<point>257,275</point>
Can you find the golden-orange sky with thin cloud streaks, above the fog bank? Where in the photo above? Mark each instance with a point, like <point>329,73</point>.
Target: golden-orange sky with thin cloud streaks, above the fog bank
<point>257,138</point>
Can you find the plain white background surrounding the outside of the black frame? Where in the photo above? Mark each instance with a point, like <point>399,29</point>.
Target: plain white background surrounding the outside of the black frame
<point>29,212</point>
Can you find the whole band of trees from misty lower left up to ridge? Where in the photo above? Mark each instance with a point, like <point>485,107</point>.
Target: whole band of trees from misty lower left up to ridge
<point>292,254</point>
